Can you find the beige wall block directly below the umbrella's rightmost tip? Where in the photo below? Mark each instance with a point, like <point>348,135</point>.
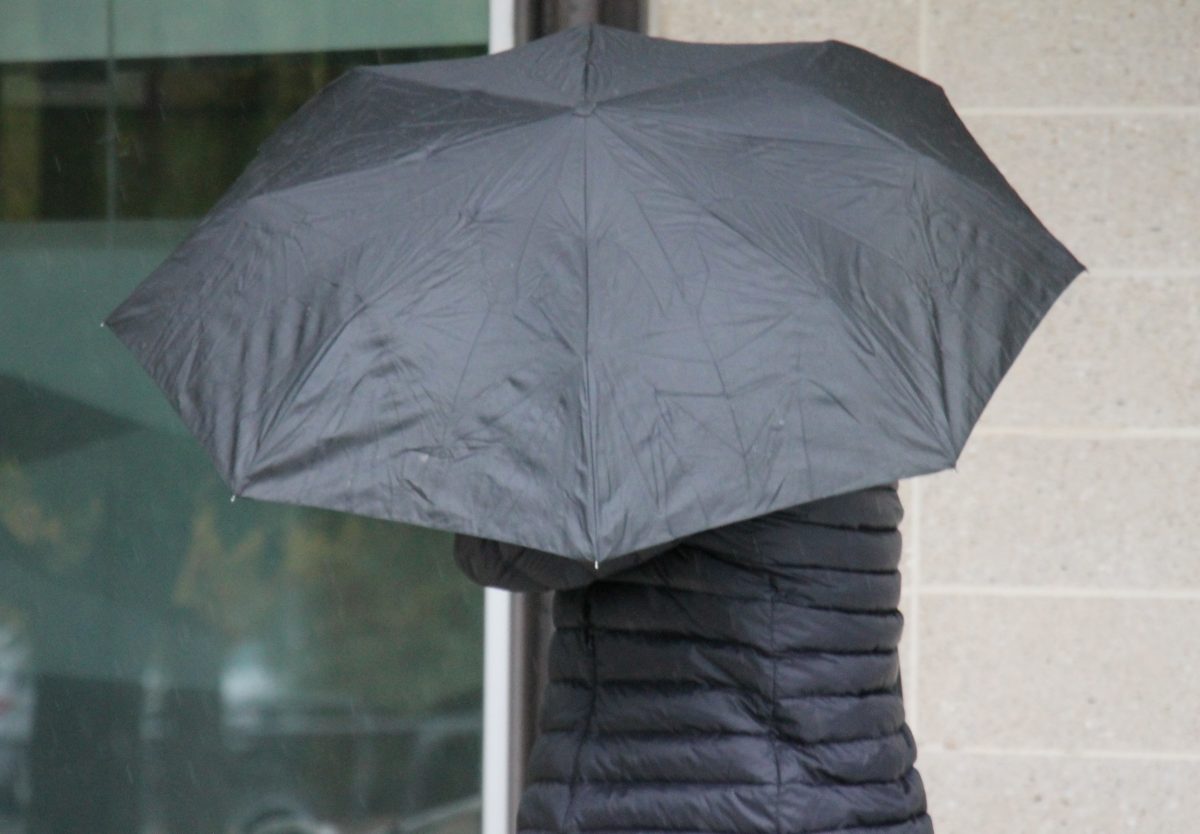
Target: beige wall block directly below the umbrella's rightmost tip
<point>1115,351</point>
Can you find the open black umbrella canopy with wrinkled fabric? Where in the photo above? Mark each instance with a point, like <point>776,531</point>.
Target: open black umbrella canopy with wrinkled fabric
<point>599,292</point>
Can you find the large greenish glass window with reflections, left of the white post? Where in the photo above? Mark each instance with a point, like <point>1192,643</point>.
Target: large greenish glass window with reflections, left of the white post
<point>171,662</point>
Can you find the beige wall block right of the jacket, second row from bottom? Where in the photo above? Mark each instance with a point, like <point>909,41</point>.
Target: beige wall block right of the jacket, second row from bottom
<point>1070,675</point>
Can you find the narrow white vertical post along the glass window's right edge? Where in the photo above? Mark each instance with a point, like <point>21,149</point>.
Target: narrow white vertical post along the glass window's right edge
<point>497,815</point>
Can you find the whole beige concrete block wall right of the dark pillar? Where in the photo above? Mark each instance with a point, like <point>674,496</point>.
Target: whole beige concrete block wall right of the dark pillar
<point>1052,584</point>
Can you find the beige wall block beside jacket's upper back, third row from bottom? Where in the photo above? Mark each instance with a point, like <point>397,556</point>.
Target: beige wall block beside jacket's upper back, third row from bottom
<point>1108,513</point>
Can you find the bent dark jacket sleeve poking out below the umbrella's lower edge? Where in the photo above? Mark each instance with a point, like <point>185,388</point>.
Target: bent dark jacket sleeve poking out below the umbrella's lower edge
<point>500,565</point>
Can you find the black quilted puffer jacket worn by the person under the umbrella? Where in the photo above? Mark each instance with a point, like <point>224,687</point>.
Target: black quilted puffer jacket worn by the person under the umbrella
<point>741,680</point>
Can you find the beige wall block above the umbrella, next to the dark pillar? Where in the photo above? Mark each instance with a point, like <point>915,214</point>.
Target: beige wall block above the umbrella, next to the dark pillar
<point>887,28</point>
